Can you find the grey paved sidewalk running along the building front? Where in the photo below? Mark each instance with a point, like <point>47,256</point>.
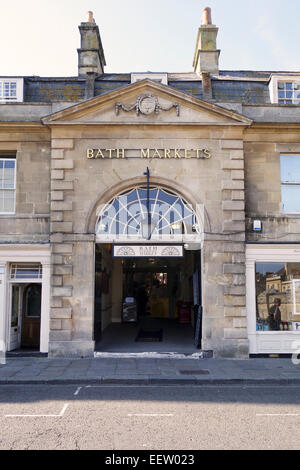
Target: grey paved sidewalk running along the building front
<point>148,371</point>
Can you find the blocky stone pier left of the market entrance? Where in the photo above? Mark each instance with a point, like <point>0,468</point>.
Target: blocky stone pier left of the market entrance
<point>64,339</point>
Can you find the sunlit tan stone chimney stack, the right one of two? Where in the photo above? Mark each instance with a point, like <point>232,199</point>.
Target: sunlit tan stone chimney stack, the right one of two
<point>206,58</point>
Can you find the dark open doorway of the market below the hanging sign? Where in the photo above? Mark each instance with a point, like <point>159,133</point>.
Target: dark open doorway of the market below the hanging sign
<point>146,304</point>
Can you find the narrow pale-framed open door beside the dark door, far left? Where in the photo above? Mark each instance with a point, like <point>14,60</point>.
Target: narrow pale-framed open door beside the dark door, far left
<point>15,318</point>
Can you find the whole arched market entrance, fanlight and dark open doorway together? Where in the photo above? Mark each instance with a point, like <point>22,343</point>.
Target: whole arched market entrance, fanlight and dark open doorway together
<point>147,271</point>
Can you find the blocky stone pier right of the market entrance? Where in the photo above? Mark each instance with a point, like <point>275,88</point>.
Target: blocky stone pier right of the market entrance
<point>225,321</point>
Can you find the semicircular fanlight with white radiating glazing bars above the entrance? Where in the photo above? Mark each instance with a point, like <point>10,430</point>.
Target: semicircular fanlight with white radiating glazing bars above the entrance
<point>159,215</point>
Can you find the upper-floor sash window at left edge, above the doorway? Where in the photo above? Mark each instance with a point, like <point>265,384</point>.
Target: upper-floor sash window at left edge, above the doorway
<point>7,185</point>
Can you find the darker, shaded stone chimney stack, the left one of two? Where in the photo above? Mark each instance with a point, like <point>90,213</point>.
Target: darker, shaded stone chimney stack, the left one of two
<point>91,58</point>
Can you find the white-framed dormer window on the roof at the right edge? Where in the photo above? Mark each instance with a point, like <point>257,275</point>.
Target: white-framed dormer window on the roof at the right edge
<point>285,89</point>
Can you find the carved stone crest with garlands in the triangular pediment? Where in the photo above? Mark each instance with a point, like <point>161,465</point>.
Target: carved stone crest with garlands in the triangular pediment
<point>146,104</point>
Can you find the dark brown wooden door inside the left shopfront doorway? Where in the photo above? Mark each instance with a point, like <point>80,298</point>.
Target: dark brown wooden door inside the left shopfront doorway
<point>31,324</point>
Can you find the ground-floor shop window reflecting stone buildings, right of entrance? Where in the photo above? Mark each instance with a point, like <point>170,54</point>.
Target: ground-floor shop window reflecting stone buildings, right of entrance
<point>277,297</point>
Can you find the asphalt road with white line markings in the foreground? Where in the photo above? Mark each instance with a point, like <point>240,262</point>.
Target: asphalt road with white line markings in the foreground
<point>149,418</point>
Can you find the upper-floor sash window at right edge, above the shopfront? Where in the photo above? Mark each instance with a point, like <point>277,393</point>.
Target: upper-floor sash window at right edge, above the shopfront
<point>290,182</point>
